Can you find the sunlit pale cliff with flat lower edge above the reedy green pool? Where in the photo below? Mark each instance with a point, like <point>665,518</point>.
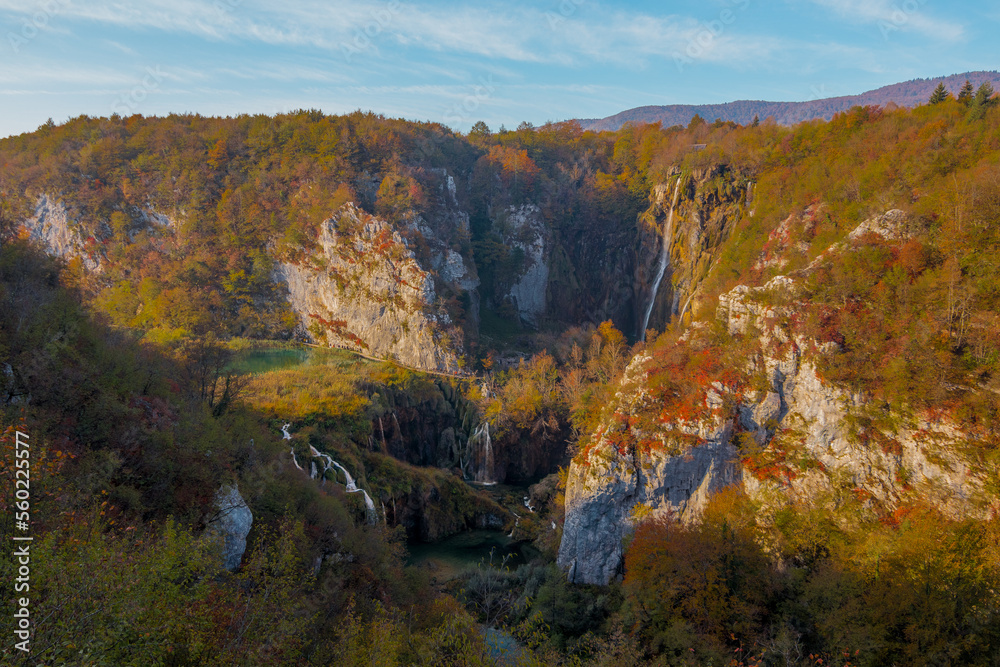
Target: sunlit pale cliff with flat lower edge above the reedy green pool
<point>365,290</point>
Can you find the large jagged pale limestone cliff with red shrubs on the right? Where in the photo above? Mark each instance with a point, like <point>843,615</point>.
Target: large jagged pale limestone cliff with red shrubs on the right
<point>810,447</point>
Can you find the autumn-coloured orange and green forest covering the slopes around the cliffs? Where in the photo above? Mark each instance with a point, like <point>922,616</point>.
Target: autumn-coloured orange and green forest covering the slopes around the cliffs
<point>126,379</point>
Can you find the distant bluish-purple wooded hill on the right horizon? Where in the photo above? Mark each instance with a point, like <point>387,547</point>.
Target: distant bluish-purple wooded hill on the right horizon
<point>907,94</point>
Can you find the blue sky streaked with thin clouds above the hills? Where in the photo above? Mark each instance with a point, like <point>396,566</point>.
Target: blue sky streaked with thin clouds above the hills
<point>456,63</point>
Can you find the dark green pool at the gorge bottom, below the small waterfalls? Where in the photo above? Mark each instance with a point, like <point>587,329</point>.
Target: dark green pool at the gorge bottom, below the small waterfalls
<point>448,558</point>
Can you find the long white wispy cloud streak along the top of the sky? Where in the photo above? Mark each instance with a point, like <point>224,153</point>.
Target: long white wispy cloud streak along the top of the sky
<point>510,32</point>
